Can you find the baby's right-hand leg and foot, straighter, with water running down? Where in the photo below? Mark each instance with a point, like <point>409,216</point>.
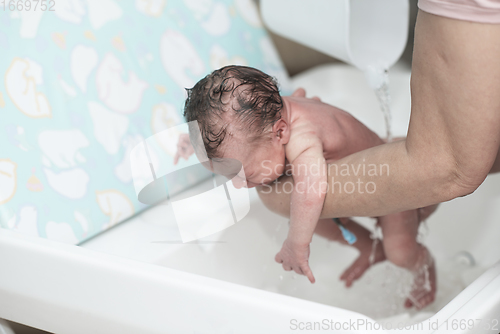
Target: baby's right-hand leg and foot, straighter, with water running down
<point>401,248</point>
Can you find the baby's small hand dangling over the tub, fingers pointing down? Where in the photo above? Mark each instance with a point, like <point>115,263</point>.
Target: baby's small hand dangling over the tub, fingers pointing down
<point>295,257</point>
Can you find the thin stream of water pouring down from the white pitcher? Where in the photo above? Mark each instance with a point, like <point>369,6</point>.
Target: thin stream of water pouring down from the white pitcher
<point>378,79</point>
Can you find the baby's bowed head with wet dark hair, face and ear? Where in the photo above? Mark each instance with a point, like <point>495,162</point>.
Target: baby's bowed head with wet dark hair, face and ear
<point>239,112</point>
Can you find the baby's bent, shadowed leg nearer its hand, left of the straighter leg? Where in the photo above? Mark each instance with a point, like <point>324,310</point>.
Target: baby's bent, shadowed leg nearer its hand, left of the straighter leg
<point>328,229</point>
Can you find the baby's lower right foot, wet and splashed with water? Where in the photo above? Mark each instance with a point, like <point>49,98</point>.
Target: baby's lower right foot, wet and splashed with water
<point>424,281</point>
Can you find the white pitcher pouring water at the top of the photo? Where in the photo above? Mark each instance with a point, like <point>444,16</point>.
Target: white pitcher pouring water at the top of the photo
<point>364,33</point>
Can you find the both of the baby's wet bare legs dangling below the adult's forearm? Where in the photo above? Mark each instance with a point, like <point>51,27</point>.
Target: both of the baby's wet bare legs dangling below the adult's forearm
<point>399,245</point>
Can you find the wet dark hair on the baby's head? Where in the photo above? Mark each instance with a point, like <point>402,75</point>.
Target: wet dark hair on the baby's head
<point>233,94</point>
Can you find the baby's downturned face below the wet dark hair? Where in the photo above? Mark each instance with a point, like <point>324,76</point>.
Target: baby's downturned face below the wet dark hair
<point>262,162</point>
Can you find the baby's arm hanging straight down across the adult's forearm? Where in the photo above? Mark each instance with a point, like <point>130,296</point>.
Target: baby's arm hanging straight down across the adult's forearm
<point>309,175</point>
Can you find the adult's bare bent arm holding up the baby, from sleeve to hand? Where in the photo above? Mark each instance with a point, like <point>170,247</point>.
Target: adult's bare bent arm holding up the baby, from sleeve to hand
<point>454,132</point>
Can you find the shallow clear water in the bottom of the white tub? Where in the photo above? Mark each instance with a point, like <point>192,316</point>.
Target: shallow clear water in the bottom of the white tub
<point>382,290</point>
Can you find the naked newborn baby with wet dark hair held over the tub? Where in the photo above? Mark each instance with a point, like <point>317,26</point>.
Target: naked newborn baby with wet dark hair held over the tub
<point>241,115</point>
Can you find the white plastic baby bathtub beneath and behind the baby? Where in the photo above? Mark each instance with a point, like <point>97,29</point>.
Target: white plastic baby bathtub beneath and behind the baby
<point>139,278</point>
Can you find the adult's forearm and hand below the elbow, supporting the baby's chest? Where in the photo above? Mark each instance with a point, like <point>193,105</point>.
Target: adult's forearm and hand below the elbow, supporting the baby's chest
<point>374,182</point>
